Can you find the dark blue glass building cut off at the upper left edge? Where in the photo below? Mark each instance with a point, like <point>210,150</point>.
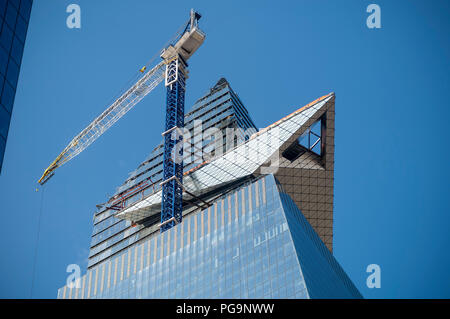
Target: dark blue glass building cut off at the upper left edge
<point>14,17</point>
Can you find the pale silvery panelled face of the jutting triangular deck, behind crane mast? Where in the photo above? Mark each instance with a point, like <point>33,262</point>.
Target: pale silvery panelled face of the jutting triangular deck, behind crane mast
<point>245,159</point>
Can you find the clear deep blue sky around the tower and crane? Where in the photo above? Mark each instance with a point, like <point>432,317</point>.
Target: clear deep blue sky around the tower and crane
<point>392,194</point>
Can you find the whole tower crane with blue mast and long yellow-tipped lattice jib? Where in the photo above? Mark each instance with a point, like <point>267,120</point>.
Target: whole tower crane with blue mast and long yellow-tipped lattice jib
<point>172,69</point>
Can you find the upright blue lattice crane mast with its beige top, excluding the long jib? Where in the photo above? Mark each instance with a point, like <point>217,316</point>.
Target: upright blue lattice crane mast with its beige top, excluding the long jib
<point>175,57</point>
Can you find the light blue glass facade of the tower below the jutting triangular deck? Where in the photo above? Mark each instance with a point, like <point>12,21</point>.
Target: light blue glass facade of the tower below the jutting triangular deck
<point>253,242</point>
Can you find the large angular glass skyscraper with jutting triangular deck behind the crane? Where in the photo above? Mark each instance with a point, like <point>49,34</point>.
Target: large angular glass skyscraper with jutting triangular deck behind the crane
<point>257,214</point>
